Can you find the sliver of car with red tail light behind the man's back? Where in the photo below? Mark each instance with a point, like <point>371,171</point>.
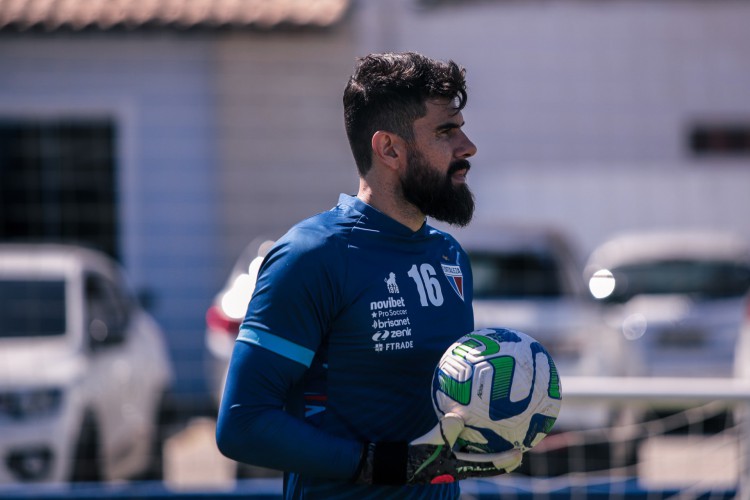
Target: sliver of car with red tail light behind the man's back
<point>227,310</point>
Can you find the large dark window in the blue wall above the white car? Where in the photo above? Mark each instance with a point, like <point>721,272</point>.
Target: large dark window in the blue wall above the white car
<point>57,182</point>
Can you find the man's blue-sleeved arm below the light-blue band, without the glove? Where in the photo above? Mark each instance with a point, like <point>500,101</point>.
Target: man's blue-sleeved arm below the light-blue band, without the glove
<point>253,428</point>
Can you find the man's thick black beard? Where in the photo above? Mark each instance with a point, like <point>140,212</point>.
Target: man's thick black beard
<point>434,193</point>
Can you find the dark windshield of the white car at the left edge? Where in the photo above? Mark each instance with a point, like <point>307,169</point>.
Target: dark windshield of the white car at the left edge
<point>31,308</point>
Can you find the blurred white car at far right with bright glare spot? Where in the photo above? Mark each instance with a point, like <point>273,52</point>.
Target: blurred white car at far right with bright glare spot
<point>676,297</point>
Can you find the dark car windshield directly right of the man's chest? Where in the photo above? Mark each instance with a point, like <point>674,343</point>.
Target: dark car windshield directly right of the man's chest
<point>515,275</point>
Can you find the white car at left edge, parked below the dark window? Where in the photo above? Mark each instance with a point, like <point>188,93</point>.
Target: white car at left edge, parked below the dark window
<point>84,371</point>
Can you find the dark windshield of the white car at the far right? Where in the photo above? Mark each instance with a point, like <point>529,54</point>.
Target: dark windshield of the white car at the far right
<point>709,279</point>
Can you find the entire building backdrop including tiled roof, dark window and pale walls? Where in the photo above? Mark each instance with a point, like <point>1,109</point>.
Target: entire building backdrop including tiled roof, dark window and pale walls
<point>224,125</point>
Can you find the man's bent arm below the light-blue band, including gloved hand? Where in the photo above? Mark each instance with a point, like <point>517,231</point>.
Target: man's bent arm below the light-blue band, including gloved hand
<point>252,428</point>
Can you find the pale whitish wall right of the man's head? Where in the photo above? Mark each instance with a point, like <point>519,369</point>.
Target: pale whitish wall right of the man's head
<point>580,110</point>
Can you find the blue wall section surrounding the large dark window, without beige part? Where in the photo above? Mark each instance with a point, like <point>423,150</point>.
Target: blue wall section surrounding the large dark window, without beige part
<point>159,90</point>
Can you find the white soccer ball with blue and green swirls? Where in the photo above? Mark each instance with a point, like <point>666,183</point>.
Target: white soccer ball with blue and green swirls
<point>503,384</point>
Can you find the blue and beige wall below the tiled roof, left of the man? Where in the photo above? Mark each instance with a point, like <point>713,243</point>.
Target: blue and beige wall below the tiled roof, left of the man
<point>221,138</point>
